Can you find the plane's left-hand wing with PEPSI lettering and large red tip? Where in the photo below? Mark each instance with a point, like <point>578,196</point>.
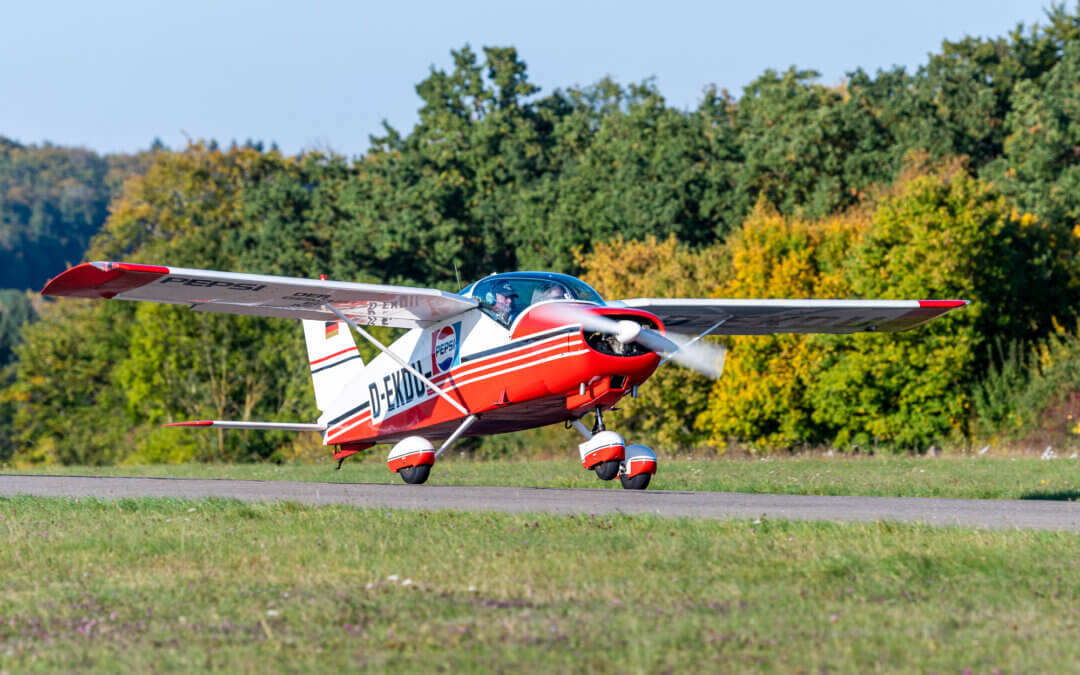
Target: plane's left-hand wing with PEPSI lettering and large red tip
<point>260,295</point>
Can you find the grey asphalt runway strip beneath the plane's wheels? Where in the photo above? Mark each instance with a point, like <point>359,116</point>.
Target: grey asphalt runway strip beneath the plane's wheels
<point>984,514</point>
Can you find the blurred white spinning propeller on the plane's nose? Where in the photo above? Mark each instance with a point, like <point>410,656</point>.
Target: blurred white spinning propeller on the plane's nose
<point>705,358</point>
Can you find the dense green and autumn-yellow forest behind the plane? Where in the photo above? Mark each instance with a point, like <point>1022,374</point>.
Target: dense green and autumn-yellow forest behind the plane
<point>961,180</point>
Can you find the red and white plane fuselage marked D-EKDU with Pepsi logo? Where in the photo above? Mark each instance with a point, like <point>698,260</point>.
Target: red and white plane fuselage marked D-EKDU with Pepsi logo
<point>530,374</point>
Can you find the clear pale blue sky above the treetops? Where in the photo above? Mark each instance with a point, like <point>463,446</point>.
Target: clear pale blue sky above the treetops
<point>113,76</point>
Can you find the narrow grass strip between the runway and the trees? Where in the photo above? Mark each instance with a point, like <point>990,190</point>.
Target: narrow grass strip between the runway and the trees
<point>961,478</point>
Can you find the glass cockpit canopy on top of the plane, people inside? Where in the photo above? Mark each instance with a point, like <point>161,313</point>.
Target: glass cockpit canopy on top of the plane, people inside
<point>505,296</point>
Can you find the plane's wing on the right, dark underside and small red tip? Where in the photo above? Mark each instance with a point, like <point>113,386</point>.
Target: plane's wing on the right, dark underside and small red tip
<point>765,317</point>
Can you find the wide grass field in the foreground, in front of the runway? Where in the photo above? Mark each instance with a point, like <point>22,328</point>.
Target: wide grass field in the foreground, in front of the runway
<point>168,585</point>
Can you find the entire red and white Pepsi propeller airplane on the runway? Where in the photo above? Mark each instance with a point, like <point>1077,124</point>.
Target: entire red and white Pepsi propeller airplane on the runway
<point>510,353</point>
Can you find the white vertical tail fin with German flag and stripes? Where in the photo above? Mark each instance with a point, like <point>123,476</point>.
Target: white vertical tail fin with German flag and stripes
<point>332,354</point>
